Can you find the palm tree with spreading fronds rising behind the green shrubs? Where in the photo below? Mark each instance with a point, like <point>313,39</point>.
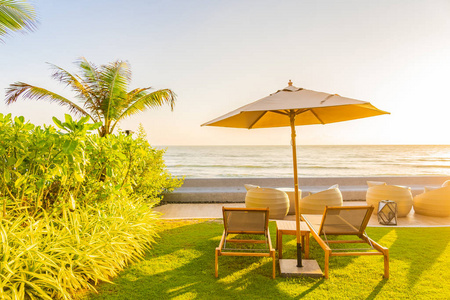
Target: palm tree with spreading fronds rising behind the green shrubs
<point>101,91</point>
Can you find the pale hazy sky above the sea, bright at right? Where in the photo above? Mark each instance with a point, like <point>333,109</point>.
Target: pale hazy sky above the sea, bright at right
<point>220,55</point>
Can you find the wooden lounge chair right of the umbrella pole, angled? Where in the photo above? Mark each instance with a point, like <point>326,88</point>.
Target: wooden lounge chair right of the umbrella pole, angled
<point>345,221</point>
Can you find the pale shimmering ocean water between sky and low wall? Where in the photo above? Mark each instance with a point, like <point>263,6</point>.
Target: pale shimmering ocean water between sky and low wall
<point>313,161</point>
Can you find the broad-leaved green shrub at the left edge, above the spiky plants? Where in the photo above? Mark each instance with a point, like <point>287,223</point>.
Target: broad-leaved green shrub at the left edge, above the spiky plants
<point>40,165</point>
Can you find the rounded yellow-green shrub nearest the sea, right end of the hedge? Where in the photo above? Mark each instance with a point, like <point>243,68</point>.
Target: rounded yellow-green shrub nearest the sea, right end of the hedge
<point>129,165</point>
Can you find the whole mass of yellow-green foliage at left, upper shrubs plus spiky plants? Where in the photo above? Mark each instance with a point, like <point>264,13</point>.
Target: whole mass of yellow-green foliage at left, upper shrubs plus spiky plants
<point>76,206</point>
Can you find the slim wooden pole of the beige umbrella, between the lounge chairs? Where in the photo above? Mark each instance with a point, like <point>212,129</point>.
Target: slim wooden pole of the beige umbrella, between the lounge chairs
<point>297,206</point>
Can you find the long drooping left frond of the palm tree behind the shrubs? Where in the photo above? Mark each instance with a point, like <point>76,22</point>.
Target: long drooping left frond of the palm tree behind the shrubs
<point>30,92</point>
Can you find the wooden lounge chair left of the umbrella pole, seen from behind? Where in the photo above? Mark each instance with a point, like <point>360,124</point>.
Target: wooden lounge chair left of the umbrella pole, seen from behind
<point>251,222</point>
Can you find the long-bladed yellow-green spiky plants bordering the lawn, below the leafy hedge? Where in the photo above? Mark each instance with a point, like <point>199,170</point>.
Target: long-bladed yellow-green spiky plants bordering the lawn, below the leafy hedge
<point>53,254</point>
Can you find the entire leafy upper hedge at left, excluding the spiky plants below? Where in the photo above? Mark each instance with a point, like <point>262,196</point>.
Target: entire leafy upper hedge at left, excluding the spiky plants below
<point>41,167</point>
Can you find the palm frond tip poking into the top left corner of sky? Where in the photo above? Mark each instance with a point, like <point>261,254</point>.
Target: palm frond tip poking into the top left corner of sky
<point>15,16</point>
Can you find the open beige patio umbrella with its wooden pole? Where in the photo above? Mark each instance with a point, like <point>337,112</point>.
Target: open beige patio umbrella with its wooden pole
<point>293,106</point>
